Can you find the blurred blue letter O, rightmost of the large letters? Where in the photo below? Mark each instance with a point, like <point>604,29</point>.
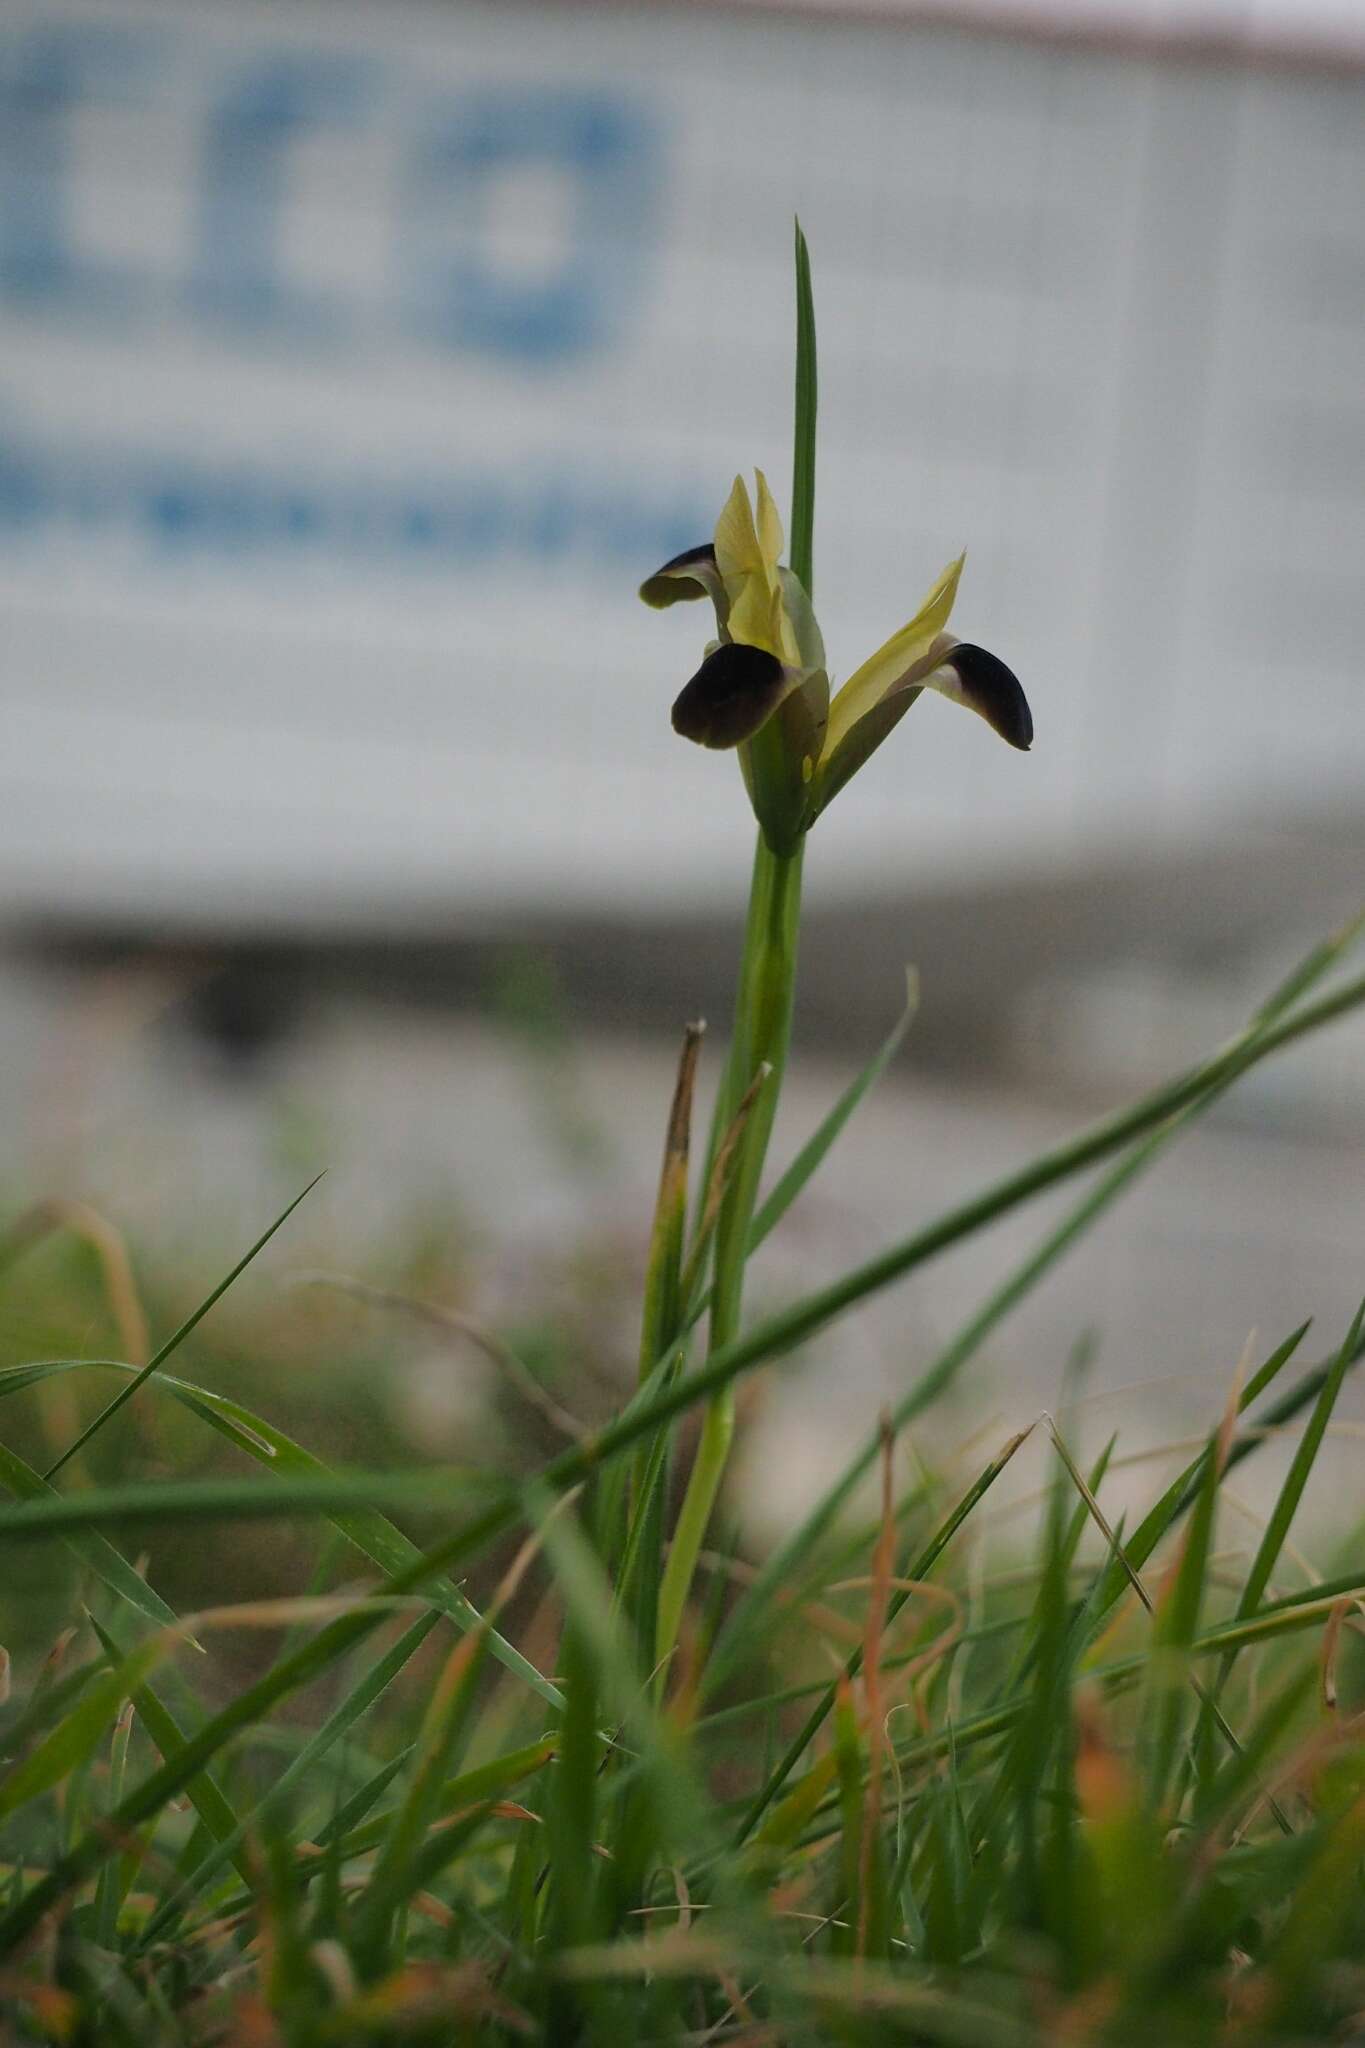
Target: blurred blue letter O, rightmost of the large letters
<point>595,159</point>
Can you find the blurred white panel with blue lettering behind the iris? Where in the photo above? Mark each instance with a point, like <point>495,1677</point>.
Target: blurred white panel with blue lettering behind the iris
<point>357,364</point>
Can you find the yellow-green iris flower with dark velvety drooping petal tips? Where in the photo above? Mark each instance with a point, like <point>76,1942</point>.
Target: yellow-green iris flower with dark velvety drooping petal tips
<point>764,687</point>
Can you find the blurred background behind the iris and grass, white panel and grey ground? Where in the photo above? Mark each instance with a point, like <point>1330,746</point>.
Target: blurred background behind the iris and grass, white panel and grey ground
<point>359,361</point>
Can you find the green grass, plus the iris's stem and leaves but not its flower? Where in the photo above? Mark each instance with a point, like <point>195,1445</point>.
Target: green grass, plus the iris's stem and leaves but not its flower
<point>308,1752</point>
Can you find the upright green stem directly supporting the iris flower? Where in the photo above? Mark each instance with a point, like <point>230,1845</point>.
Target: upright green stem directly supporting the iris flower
<point>762,1035</point>
